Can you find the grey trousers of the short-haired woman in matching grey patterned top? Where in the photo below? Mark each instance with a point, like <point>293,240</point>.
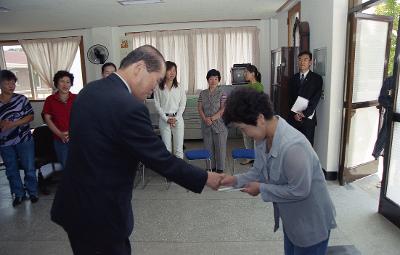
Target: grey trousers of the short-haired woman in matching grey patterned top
<point>216,144</point>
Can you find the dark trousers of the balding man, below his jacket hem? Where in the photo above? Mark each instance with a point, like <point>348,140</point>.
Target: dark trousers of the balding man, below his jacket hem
<point>85,246</point>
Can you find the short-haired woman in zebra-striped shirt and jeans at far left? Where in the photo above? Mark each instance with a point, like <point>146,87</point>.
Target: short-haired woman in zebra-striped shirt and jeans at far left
<point>16,143</point>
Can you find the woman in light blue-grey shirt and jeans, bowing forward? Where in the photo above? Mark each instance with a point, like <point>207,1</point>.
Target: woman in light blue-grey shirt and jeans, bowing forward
<point>286,172</point>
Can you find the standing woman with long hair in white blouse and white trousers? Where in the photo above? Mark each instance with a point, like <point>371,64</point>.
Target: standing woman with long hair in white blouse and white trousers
<point>170,102</point>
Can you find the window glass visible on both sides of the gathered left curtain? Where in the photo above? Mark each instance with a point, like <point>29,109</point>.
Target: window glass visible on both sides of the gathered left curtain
<point>29,83</point>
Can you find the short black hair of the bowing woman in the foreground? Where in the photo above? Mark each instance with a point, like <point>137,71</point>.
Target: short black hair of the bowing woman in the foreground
<point>244,105</point>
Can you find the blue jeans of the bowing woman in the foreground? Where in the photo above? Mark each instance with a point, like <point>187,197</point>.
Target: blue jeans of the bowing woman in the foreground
<point>317,249</point>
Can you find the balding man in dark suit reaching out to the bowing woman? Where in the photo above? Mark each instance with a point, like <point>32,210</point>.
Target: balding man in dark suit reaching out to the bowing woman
<point>110,132</point>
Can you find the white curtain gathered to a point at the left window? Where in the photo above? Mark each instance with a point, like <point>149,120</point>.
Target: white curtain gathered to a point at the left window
<point>47,56</point>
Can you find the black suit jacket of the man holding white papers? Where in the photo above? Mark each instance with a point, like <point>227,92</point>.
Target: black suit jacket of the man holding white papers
<point>311,89</point>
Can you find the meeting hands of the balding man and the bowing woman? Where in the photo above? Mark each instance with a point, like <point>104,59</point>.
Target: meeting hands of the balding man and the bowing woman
<point>215,180</point>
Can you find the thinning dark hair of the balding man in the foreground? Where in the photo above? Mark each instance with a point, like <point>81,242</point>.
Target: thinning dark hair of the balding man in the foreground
<point>152,58</point>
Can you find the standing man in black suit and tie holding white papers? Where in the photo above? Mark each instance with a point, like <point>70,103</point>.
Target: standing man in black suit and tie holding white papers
<point>308,85</point>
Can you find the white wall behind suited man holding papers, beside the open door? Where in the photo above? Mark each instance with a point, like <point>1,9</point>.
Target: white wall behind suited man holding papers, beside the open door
<point>327,20</point>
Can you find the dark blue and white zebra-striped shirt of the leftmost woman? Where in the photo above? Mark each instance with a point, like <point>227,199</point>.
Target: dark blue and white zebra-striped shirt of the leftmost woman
<point>17,108</point>
